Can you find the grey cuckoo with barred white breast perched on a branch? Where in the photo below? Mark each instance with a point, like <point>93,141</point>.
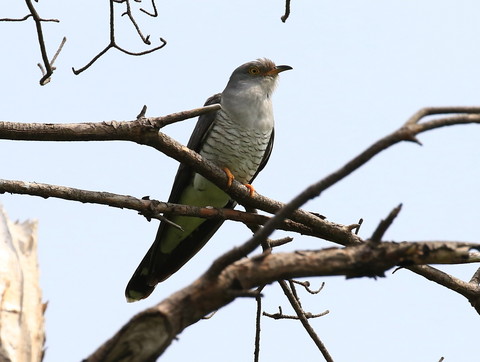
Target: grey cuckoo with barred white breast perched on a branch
<point>239,139</point>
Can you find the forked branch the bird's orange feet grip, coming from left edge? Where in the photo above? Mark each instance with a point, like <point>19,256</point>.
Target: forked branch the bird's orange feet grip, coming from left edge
<point>145,131</point>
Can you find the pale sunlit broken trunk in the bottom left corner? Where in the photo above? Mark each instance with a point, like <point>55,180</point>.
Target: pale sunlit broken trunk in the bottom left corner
<point>22,333</point>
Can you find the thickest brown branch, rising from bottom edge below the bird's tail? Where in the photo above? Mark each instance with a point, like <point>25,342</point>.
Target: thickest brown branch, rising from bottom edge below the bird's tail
<point>149,333</point>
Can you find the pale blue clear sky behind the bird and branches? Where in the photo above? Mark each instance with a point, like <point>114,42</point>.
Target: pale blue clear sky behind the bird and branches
<point>360,70</point>
